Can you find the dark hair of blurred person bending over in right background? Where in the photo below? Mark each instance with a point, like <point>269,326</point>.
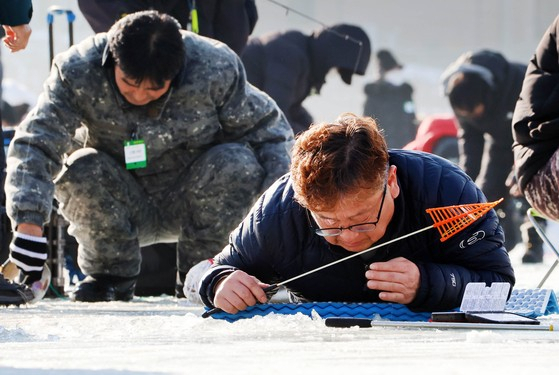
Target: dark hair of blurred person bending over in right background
<point>467,91</point>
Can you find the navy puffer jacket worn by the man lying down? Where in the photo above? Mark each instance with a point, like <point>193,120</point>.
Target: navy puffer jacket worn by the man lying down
<point>275,242</point>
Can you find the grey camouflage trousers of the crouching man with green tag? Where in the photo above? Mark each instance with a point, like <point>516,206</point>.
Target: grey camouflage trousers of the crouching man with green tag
<point>111,215</point>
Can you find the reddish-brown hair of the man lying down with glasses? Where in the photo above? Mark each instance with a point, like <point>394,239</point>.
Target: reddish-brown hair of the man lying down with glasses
<point>331,160</point>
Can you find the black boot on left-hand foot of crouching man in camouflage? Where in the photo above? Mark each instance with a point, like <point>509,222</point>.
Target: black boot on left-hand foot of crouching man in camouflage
<point>104,288</point>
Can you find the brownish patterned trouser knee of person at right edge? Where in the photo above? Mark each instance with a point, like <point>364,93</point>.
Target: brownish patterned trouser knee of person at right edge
<point>543,189</point>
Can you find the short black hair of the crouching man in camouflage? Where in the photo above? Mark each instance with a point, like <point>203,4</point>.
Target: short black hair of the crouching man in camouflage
<point>147,45</point>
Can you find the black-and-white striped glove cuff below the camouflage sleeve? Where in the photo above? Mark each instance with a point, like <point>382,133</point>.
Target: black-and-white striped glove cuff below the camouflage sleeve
<point>29,253</point>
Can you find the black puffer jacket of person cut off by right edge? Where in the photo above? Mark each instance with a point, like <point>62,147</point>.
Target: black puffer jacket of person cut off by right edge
<point>535,125</point>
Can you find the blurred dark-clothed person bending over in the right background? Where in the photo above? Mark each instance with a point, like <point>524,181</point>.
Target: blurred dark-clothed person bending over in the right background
<point>482,88</point>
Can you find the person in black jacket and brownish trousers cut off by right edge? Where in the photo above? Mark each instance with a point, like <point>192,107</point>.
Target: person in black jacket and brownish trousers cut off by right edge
<point>535,128</point>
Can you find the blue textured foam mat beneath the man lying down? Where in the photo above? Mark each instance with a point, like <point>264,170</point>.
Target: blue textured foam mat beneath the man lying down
<point>528,302</point>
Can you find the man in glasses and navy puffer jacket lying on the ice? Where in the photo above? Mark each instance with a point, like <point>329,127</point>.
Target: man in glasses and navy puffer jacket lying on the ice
<point>344,193</point>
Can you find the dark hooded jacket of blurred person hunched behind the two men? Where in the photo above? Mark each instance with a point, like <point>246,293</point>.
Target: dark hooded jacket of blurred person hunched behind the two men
<point>289,65</point>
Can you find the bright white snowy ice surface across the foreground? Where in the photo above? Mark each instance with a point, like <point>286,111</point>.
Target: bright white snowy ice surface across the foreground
<point>163,335</point>
